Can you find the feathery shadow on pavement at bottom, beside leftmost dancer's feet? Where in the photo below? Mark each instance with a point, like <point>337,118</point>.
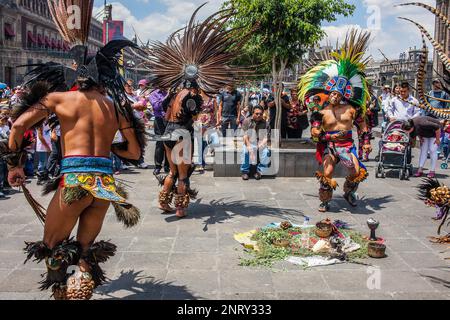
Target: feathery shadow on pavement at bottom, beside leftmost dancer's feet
<point>138,286</point>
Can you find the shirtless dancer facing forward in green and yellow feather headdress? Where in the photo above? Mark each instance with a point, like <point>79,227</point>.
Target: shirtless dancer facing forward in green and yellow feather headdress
<point>332,126</point>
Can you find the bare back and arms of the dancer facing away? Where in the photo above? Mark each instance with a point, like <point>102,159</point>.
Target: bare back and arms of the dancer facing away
<point>88,126</point>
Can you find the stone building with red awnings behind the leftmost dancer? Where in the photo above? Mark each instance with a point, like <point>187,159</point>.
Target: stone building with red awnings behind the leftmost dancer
<point>28,36</point>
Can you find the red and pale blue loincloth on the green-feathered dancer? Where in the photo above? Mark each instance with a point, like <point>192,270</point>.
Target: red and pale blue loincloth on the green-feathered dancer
<point>343,150</point>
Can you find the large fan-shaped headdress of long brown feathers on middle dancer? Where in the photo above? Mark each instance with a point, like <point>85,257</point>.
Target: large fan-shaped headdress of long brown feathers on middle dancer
<point>198,55</point>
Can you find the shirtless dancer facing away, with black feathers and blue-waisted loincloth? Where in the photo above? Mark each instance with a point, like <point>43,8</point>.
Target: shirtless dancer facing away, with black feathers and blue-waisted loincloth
<point>89,120</point>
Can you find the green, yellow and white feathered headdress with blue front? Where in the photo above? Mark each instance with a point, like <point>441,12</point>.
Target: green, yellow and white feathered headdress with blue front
<point>344,73</point>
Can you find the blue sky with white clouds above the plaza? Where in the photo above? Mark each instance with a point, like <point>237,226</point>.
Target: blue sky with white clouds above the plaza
<point>156,19</point>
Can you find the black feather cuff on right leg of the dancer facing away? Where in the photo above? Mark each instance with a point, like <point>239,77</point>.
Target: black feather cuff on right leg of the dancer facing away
<point>99,252</point>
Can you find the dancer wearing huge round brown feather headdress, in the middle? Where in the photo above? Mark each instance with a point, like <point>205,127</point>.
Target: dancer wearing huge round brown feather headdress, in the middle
<point>190,69</point>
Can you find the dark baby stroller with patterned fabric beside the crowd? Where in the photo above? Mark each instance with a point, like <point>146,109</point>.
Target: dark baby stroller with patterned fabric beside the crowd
<point>395,151</point>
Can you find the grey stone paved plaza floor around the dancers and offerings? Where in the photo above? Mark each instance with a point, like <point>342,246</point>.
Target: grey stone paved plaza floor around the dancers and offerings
<point>197,257</point>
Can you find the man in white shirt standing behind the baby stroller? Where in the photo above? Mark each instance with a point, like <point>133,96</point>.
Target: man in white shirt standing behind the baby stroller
<point>404,107</point>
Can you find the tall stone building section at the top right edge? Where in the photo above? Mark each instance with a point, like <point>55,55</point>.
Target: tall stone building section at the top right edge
<point>442,36</point>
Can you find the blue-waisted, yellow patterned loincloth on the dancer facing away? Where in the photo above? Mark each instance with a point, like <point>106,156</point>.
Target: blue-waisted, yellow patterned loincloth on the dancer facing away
<point>93,175</point>
